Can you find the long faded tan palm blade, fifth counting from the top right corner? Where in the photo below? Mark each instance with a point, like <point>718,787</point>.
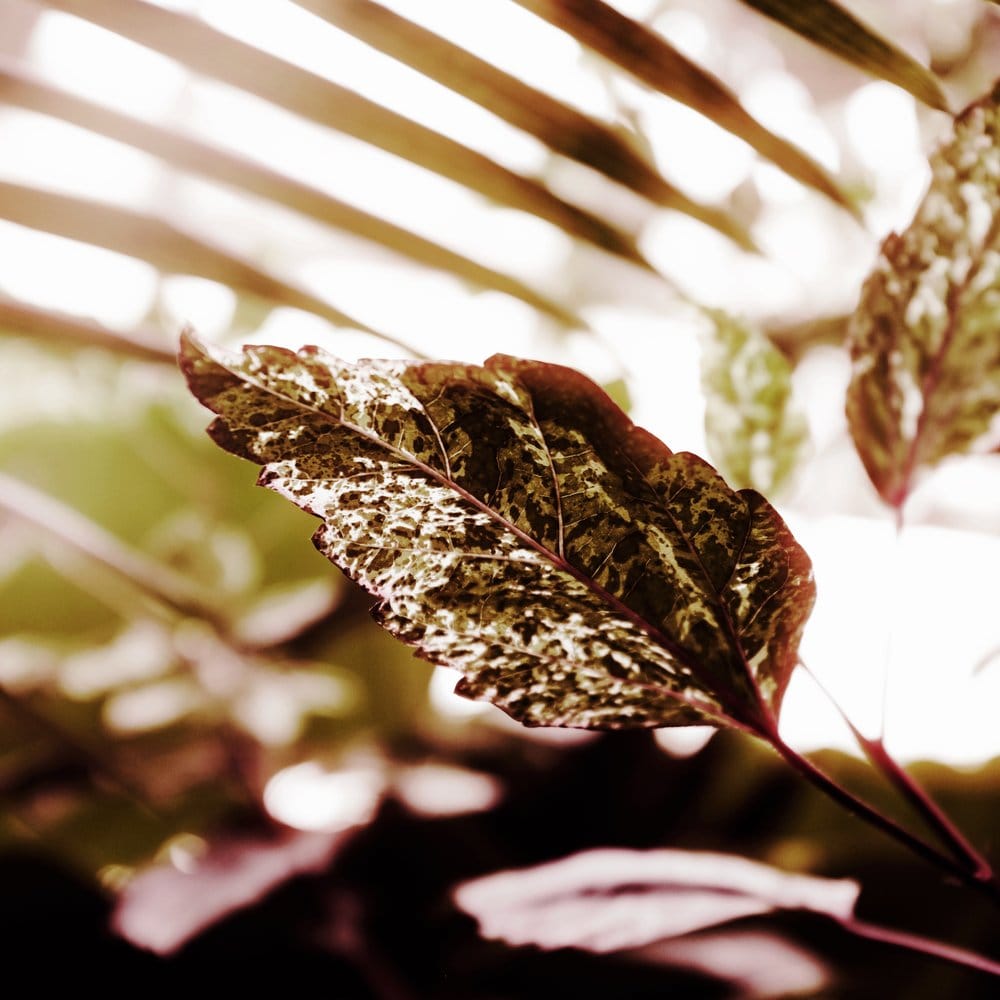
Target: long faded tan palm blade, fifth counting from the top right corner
<point>25,89</point>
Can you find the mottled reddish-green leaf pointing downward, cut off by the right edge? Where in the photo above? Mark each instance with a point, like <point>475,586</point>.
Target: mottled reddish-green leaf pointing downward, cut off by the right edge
<point>924,340</point>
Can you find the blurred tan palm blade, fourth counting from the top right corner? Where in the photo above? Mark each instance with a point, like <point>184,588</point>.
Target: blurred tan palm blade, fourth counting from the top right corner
<point>204,50</point>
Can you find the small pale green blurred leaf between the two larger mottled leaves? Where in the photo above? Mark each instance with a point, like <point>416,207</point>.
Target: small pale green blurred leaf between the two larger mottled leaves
<point>756,435</point>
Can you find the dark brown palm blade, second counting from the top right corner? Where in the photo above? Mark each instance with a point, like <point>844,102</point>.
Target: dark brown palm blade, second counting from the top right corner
<point>649,57</point>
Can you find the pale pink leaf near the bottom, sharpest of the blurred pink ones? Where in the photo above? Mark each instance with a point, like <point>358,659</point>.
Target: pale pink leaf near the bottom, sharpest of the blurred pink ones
<point>608,899</point>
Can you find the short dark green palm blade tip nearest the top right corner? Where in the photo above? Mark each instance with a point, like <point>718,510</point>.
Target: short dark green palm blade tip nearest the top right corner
<point>840,32</point>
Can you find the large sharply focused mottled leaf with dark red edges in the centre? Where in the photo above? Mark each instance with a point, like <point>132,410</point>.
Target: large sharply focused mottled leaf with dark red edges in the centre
<point>516,525</point>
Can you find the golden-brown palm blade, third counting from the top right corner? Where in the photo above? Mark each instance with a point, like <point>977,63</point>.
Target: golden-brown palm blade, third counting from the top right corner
<point>569,132</point>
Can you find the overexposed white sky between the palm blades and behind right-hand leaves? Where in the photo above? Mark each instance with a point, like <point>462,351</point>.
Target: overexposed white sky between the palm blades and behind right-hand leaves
<point>926,604</point>
